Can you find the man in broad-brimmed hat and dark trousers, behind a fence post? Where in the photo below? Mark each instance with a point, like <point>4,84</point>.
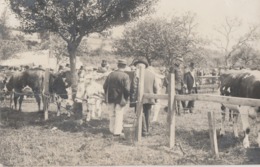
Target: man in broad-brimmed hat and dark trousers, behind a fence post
<point>151,86</point>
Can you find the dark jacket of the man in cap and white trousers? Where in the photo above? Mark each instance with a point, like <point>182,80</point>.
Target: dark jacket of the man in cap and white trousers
<point>117,87</point>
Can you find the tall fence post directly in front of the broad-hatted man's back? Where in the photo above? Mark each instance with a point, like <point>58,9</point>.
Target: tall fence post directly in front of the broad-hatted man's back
<point>139,105</point>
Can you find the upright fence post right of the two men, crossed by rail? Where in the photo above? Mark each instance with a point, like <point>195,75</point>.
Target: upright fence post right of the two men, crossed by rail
<point>171,110</point>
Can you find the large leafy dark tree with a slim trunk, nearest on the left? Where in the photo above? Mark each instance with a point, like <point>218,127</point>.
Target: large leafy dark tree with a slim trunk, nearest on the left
<point>74,19</point>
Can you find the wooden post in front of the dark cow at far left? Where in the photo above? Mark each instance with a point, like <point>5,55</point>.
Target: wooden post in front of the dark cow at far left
<point>46,93</point>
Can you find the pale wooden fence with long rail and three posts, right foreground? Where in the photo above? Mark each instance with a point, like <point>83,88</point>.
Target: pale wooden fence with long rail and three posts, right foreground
<point>172,98</point>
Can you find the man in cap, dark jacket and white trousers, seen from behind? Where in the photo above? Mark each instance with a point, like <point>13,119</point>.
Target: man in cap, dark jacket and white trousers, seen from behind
<point>117,89</point>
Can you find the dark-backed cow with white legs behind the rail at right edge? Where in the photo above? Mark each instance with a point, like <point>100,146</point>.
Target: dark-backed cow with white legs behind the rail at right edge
<point>244,84</point>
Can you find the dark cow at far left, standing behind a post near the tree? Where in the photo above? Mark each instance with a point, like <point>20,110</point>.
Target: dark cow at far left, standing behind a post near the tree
<point>34,79</point>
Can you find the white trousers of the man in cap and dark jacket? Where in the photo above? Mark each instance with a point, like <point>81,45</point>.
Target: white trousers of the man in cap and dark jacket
<point>116,115</point>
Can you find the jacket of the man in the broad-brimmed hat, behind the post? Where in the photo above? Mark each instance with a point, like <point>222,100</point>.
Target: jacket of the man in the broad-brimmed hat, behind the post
<point>150,86</point>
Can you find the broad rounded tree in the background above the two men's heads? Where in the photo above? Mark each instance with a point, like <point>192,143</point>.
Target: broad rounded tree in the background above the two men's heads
<point>159,39</point>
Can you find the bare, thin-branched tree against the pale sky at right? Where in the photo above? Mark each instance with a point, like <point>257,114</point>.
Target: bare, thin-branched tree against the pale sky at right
<point>227,32</point>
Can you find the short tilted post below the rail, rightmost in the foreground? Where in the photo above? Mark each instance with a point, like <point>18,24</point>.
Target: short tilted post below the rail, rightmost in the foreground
<point>212,133</point>
